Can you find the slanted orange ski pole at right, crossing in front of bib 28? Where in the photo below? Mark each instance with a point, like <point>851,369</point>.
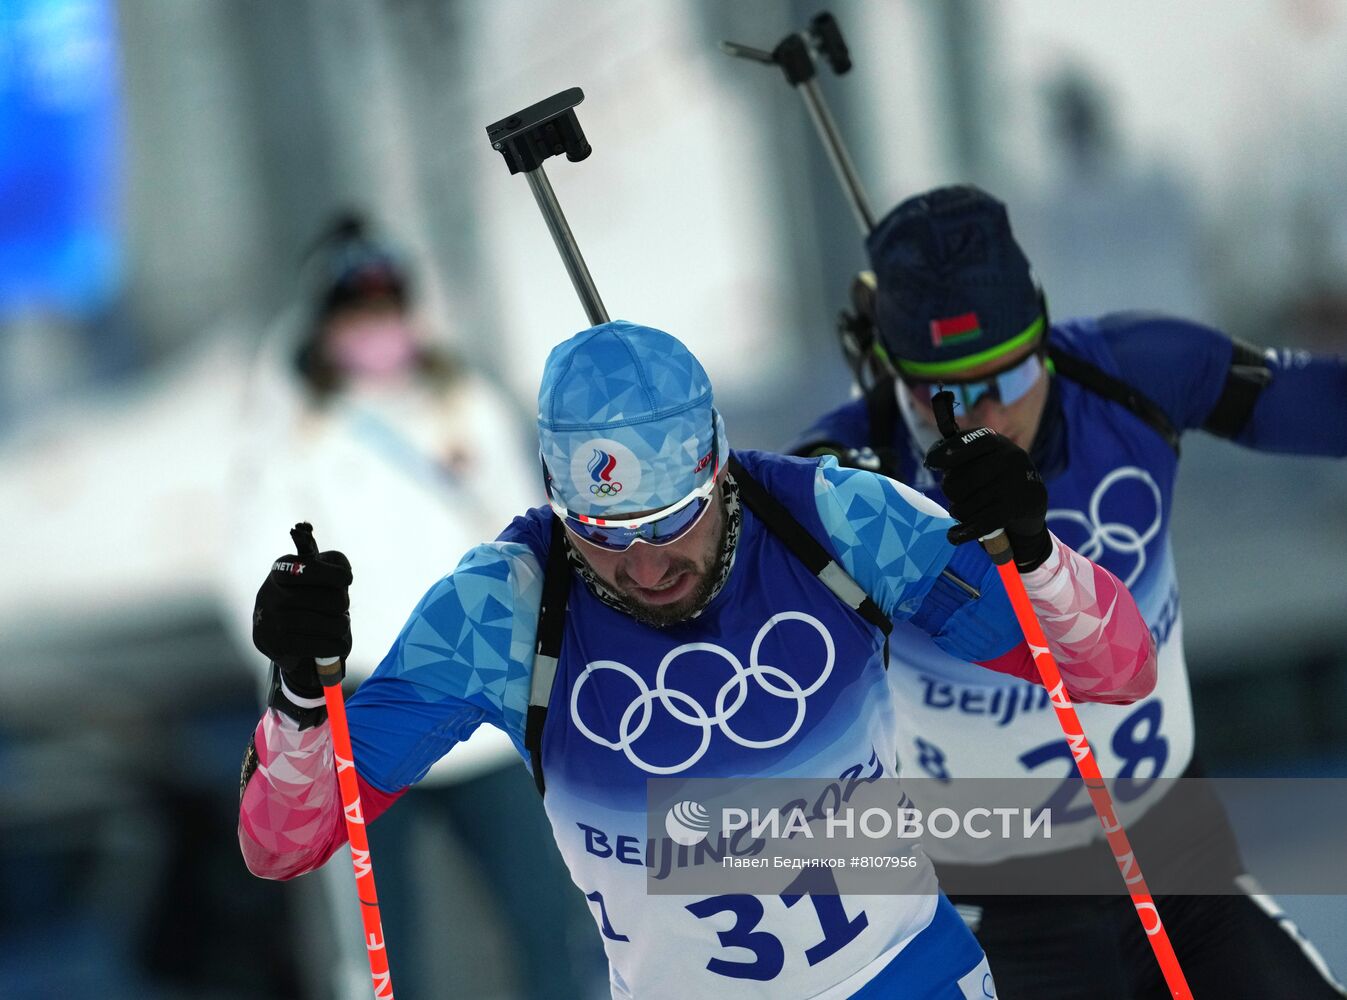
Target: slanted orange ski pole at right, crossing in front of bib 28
<point>999,548</point>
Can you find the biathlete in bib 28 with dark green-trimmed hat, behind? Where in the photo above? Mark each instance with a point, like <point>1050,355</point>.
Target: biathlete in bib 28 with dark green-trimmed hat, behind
<point>1101,405</point>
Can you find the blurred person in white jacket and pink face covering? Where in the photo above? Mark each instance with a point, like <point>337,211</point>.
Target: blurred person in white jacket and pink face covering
<point>366,428</point>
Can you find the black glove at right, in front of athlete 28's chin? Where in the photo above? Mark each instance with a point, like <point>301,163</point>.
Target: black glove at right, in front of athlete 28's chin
<point>991,485</point>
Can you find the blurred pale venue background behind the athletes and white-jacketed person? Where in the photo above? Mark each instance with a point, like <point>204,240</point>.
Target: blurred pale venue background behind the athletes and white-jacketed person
<point>168,166</point>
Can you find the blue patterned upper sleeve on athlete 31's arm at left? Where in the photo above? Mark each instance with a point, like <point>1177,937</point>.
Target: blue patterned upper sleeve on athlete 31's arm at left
<point>464,658</point>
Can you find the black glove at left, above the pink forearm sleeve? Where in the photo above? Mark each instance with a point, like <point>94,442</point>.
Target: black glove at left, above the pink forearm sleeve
<point>304,611</point>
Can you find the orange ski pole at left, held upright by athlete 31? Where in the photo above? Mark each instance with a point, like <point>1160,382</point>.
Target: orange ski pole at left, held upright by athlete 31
<point>331,675</point>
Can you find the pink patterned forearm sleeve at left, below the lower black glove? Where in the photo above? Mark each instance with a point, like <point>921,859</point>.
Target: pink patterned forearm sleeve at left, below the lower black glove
<point>290,817</point>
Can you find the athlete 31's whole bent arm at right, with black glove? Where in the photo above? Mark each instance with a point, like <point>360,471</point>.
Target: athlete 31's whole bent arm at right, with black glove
<point>918,564</point>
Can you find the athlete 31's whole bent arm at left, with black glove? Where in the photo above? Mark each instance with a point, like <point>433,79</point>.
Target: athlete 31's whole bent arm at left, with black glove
<point>417,707</point>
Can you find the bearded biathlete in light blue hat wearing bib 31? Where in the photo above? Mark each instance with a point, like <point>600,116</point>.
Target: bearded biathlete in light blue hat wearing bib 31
<point>659,542</point>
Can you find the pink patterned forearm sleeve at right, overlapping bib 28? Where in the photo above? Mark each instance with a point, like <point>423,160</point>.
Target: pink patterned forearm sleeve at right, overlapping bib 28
<point>1093,626</point>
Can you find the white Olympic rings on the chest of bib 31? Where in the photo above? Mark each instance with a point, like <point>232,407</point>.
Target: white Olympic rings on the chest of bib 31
<point>731,697</point>
